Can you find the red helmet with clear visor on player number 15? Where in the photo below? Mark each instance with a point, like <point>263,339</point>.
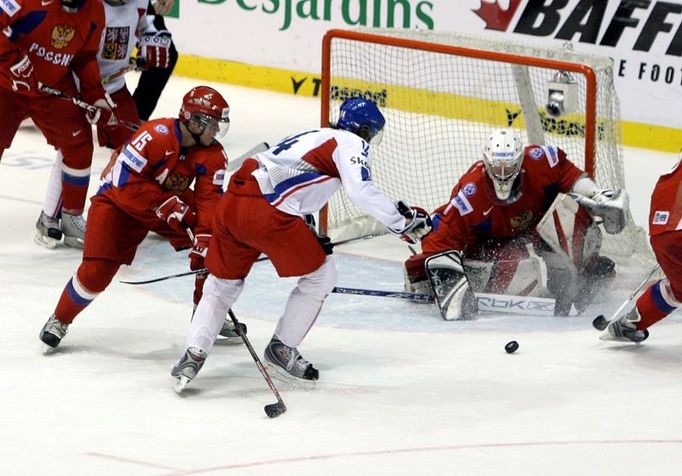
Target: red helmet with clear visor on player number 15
<point>207,108</point>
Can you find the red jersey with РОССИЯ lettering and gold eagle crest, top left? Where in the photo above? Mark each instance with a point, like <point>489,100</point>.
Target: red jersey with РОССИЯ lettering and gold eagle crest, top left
<point>57,42</point>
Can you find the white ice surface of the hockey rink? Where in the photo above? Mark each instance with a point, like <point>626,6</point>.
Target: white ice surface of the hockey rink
<point>401,391</point>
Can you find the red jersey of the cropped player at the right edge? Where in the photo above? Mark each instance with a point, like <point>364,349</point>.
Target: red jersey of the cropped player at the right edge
<point>665,213</point>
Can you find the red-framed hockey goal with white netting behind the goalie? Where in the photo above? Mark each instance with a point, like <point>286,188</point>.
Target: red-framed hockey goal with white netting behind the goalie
<point>442,93</point>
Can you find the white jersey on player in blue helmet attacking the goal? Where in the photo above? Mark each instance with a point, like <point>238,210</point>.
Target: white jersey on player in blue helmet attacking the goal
<point>299,175</point>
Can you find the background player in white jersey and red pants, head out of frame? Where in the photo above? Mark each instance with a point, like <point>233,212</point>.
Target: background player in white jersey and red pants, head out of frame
<point>127,26</point>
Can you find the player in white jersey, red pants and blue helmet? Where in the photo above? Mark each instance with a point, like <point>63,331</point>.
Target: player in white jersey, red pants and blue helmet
<point>263,211</point>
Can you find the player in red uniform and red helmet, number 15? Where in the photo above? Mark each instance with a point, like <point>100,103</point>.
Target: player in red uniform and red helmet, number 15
<point>146,188</point>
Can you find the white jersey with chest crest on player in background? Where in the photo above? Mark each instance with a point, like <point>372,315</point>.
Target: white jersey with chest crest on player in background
<point>124,25</point>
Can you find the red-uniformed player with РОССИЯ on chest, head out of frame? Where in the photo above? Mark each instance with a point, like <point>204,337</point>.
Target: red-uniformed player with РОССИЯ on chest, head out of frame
<point>47,43</point>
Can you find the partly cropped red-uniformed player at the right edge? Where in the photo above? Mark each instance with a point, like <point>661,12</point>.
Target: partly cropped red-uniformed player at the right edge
<point>665,230</point>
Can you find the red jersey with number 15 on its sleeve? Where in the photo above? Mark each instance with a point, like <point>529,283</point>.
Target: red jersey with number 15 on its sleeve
<point>153,166</point>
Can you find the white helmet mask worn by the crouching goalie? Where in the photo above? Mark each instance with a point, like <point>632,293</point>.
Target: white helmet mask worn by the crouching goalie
<point>503,156</point>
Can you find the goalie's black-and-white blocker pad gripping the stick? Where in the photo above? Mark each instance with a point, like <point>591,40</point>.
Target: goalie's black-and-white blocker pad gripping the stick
<point>450,285</point>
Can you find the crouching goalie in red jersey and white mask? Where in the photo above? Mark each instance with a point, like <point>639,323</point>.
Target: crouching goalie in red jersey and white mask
<point>505,213</point>
